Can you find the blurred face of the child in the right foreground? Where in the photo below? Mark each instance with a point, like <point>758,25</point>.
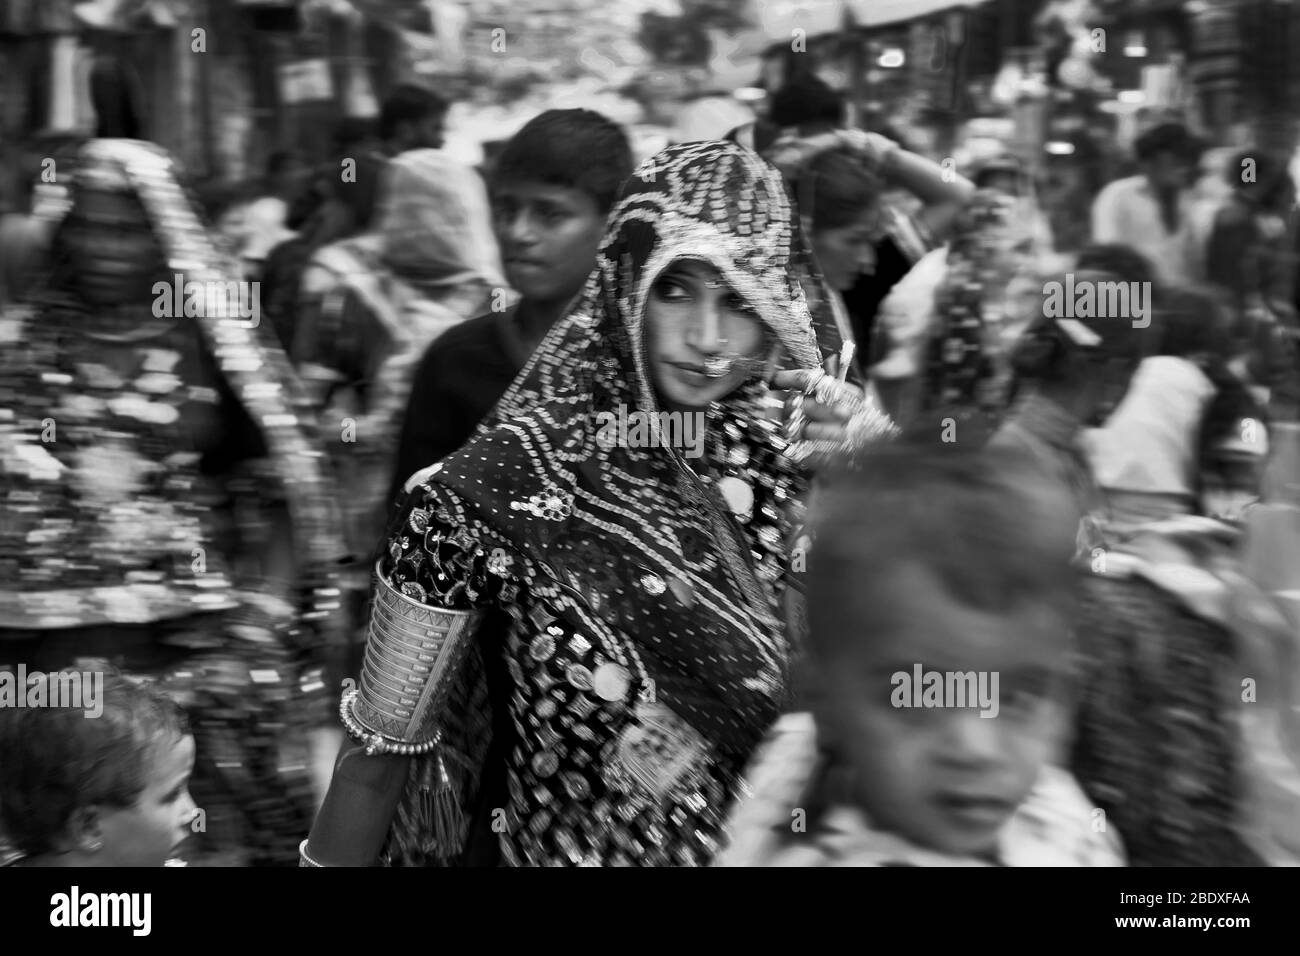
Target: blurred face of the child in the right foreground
<point>946,777</point>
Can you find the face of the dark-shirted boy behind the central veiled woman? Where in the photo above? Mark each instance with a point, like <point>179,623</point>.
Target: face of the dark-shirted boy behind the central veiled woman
<point>548,236</point>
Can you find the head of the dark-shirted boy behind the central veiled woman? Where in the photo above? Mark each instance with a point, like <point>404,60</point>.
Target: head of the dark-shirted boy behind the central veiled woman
<point>553,187</point>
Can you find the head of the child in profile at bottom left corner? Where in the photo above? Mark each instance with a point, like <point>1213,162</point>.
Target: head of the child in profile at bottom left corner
<point>103,791</point>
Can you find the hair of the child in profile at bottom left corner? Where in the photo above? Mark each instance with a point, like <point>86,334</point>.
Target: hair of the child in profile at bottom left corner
<point>58,760</point>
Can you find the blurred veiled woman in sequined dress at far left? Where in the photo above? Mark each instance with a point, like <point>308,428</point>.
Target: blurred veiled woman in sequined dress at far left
<point>149,440</point>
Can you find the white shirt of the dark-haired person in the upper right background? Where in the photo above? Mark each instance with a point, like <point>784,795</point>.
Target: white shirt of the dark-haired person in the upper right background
<point>1128,213</point>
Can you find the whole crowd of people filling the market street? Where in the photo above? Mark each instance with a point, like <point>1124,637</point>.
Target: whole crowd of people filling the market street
<point>374,514</point>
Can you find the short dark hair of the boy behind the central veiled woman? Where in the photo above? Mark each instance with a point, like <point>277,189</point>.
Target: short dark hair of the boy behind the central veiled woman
<point>578,149</point>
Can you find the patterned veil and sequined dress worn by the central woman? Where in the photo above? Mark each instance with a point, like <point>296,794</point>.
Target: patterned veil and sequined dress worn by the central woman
<point>643,644</point>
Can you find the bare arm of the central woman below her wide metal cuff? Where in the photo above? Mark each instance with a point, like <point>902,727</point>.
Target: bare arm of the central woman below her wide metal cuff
<point>354,821</point>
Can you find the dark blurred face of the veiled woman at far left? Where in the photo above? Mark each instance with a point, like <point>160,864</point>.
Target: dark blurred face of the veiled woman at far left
<point>114,249</point>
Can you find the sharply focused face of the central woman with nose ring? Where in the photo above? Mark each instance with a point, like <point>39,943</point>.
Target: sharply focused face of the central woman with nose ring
<point>703,340</point>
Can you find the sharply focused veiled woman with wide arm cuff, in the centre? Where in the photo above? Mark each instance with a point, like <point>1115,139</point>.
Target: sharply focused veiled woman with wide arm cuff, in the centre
<point>579,630</point>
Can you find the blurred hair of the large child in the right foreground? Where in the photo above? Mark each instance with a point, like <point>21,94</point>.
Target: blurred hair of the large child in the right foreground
<point>986,524</point>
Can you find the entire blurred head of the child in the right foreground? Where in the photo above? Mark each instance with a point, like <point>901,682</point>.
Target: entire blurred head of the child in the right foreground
<point>955,563</point>
